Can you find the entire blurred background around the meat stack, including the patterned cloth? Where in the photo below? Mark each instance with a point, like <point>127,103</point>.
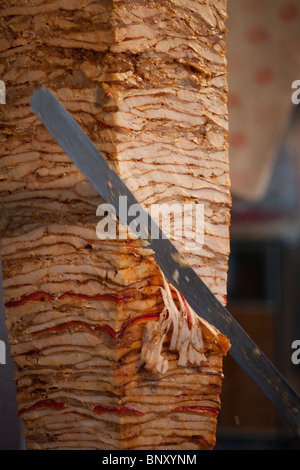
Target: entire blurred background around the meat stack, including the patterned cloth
<point>263,51</point>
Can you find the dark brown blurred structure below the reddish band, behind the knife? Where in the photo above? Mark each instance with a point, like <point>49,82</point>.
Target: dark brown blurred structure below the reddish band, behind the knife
<point>264,298</point>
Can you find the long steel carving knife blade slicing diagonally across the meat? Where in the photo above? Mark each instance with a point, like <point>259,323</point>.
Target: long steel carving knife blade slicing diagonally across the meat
<point>93,165</point>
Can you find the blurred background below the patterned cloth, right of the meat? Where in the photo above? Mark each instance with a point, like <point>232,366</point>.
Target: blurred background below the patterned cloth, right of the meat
<point>264,297</point>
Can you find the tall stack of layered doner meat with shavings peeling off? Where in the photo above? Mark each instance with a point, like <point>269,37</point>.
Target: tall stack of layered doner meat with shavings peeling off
<point>109,354</point>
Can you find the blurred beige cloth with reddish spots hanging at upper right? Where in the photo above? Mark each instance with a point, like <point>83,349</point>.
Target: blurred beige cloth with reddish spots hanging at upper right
<point>263,51</point>
